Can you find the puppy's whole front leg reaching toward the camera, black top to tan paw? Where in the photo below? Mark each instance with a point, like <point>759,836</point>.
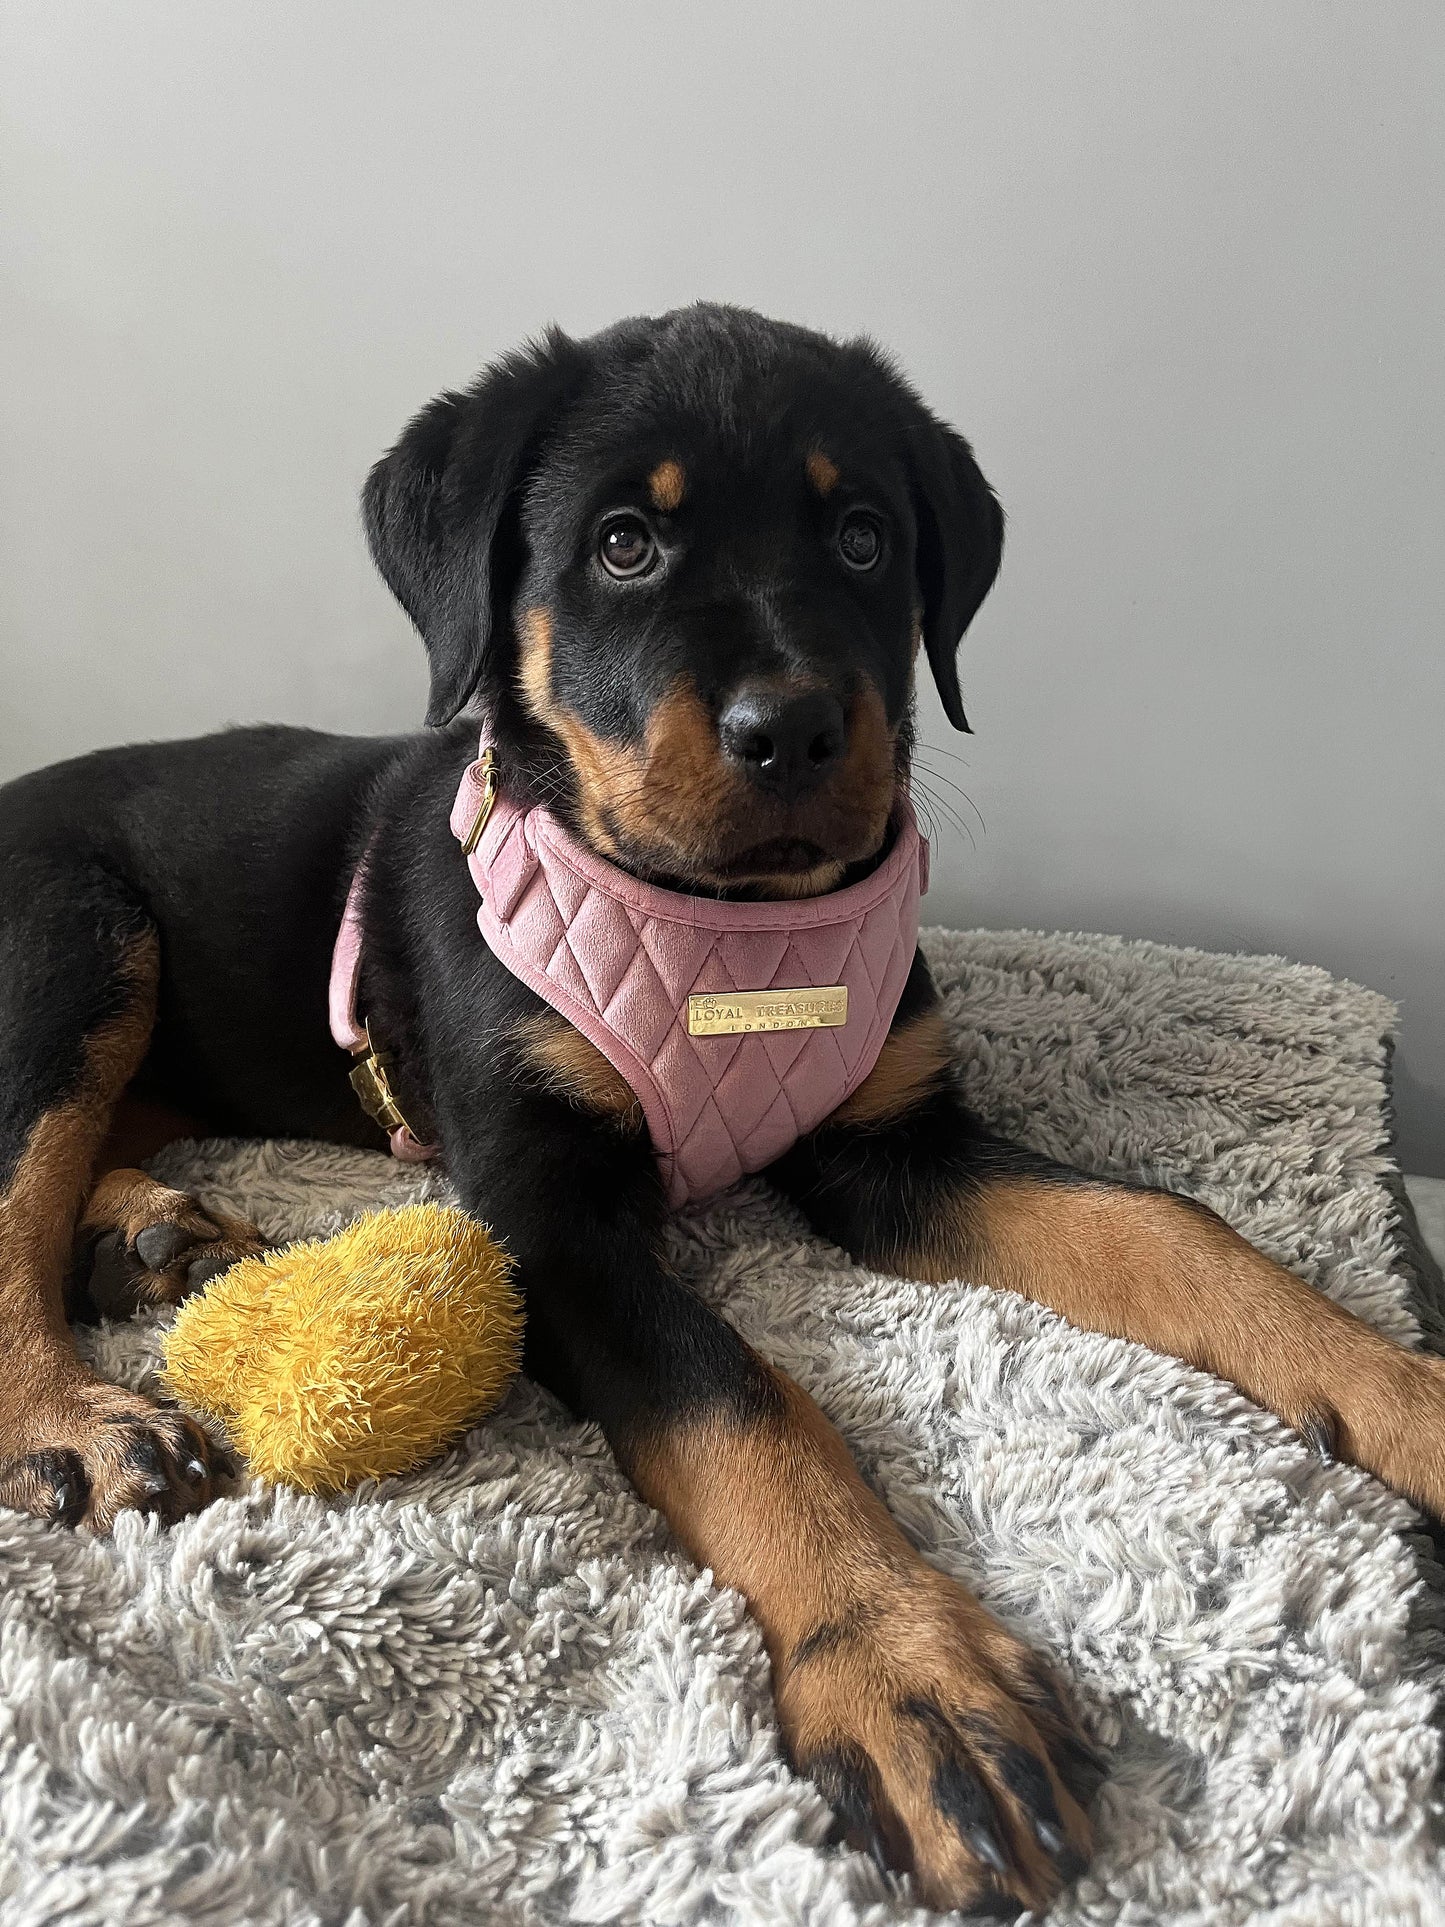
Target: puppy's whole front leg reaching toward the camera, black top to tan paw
<point>939,1739</point>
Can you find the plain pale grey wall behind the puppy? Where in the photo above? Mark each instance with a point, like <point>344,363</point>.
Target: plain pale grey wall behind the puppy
<point>1176,271</point>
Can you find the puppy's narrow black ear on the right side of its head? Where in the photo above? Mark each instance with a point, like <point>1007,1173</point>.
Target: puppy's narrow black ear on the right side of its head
<point>959,552</point>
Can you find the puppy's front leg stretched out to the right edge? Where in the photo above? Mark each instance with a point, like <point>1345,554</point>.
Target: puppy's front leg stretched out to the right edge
<point>906,1180</point>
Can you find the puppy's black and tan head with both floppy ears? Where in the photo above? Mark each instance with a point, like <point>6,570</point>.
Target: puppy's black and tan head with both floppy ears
<point>689,566</point>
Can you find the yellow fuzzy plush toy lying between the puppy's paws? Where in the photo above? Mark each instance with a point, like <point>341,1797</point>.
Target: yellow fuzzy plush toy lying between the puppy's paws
<point>357,1356</point>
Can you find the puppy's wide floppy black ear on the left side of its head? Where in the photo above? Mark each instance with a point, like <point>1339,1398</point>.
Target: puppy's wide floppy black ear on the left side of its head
<point>440,510</point>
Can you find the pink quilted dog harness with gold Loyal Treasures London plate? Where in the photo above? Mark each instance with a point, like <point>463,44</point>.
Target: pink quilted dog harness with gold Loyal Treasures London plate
<point>666,986</point>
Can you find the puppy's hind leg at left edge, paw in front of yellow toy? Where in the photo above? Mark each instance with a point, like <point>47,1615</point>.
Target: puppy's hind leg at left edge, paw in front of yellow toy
<point>72,1446</point>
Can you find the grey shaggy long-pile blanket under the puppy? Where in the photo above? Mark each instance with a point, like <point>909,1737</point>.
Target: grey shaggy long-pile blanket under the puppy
<point>496,1693</point>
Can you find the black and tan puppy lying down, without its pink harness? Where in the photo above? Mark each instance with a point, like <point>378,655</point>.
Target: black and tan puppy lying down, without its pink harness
<point>689,568</point>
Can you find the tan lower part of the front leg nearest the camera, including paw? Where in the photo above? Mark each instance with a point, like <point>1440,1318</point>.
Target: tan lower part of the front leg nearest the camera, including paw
<point>937,1737</point>
